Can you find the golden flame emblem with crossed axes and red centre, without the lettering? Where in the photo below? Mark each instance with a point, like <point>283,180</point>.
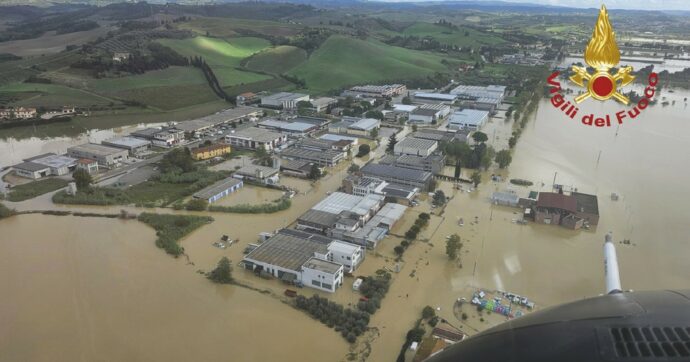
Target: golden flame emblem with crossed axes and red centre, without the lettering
<point>602,54</point>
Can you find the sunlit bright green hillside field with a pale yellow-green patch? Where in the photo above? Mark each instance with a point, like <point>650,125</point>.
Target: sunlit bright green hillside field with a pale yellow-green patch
<point>223,56</point>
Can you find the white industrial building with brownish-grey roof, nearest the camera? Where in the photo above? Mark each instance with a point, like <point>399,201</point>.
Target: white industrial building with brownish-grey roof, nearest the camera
<point>304,259</point>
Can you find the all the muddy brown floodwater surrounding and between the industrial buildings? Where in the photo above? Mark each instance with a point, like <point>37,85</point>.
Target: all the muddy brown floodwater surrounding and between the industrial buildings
<point>121,297</point>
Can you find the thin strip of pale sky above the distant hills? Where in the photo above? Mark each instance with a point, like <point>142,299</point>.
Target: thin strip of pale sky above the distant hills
<point>612,4</point>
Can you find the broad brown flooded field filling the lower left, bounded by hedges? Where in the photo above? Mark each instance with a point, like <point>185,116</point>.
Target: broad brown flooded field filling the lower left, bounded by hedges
<point>87,293</point>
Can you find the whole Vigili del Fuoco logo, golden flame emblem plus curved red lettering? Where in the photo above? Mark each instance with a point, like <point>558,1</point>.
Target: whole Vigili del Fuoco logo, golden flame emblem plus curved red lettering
<point>601,54</point>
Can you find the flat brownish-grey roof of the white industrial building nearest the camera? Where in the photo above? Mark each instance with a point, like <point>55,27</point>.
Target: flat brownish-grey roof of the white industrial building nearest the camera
<point>287,251</point>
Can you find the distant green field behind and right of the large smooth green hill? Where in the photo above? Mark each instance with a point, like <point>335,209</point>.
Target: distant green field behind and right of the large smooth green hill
<point>457,37</point>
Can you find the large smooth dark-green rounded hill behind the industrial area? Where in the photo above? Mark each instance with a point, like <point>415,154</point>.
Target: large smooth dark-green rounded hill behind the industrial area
<point>343,61</point>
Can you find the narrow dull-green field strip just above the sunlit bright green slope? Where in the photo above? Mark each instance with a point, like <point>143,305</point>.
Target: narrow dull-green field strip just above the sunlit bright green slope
<point>228,27</point>
